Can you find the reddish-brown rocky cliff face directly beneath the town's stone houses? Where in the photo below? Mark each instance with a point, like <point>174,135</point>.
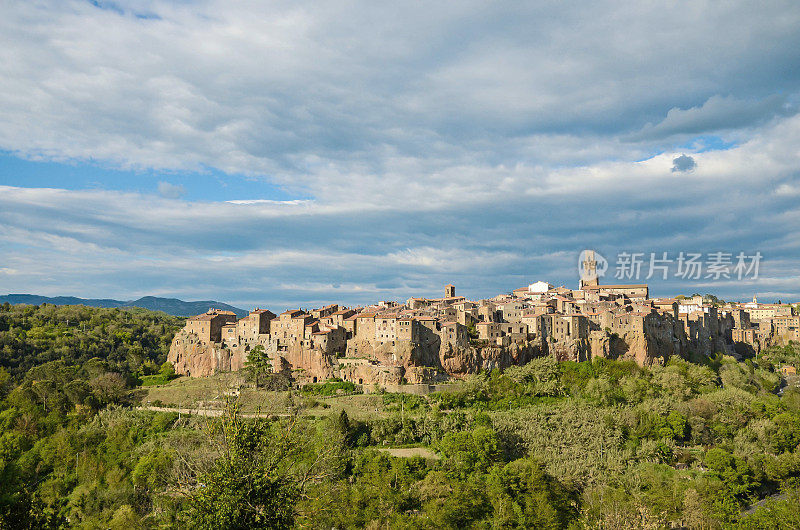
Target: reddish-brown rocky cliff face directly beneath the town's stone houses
<point>368,362</point>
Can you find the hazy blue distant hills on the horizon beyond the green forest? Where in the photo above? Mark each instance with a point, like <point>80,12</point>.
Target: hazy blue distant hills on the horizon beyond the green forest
<point>171,306</point>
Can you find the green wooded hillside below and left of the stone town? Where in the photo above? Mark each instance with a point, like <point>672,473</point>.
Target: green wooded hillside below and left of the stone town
<point>602,444</point>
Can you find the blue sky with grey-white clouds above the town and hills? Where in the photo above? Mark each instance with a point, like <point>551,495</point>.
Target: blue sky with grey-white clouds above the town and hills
<point>293,154</point>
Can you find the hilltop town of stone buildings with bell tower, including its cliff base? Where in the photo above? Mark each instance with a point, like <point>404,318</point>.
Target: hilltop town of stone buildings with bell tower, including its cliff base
<point>427,340</point>
